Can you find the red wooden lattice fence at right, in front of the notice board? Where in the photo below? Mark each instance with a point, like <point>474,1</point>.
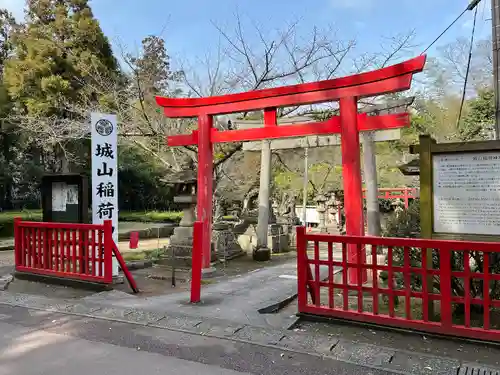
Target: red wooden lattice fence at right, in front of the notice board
<point>413,288</point>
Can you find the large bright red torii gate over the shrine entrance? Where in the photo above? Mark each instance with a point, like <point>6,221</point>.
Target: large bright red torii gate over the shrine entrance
<point>349,123</point>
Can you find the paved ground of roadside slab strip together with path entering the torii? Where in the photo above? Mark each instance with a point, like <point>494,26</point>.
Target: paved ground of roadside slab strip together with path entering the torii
<point>230,311</point>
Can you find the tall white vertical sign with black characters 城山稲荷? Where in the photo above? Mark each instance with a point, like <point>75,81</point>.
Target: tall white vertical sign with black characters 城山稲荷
<point>105,173</point>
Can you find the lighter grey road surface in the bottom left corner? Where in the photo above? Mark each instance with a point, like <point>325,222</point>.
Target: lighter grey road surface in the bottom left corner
<point>36,352</point>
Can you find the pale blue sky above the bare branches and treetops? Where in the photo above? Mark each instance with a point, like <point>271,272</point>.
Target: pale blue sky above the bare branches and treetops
<point>187,25</point>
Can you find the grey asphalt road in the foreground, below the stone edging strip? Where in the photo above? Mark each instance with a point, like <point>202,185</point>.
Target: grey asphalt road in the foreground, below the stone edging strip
<point>47,343</point>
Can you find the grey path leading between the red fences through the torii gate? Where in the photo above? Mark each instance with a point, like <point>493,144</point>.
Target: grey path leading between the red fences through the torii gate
<point>238,299</point>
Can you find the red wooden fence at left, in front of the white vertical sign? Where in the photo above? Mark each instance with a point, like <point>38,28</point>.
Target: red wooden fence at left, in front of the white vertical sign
<point>78,251</point>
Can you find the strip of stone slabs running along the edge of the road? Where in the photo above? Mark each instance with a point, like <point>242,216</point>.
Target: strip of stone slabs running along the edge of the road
<point>373,357</point>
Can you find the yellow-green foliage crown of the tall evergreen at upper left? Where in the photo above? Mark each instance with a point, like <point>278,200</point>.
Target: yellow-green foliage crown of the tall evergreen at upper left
<point>54,54</point>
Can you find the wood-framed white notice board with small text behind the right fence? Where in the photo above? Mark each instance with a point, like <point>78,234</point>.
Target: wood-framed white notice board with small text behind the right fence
<point>460,190</point>
